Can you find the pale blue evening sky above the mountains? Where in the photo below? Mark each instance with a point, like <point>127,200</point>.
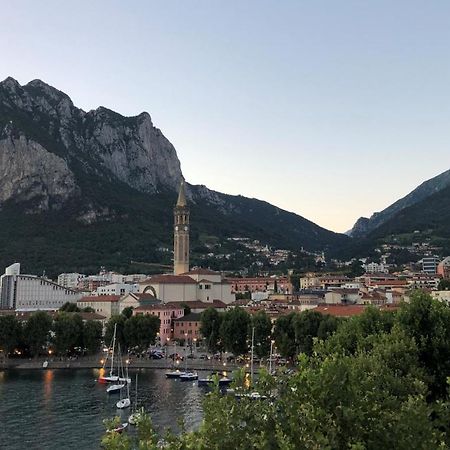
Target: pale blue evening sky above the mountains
<point>330,109</point>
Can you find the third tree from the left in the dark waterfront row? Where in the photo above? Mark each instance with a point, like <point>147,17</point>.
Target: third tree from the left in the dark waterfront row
<point>68,332</point>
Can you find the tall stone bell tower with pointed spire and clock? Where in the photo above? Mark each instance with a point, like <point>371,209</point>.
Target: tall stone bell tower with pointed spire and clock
<point>181,233</point>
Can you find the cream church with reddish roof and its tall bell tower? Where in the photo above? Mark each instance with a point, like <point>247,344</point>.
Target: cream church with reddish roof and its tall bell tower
<point>186,285</point>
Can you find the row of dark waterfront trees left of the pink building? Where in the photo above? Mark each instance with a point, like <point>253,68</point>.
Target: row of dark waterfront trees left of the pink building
<point>66,333</point>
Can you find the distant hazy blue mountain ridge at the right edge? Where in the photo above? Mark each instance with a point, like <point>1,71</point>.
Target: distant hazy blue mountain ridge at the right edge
<point>364,226</point>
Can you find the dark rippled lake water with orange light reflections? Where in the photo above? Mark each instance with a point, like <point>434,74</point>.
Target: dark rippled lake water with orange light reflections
<point>64,409</point>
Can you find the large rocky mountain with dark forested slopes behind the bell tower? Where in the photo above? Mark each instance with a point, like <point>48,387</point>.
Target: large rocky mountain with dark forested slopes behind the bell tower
<point>79,190</point>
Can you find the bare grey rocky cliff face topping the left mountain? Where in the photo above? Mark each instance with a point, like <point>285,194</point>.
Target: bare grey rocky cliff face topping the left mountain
<point>48,145</point>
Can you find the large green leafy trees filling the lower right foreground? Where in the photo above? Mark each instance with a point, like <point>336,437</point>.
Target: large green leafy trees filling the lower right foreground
<point>379,381</point>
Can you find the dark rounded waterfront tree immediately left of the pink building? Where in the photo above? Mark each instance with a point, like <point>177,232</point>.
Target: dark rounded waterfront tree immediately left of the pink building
<point>140,331</point>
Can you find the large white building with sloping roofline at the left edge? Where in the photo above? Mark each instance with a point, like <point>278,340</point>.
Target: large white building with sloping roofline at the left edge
<point>31,293</point>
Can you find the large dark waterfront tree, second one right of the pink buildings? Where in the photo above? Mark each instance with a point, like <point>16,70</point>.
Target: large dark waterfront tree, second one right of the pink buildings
<point>234,331</point>
